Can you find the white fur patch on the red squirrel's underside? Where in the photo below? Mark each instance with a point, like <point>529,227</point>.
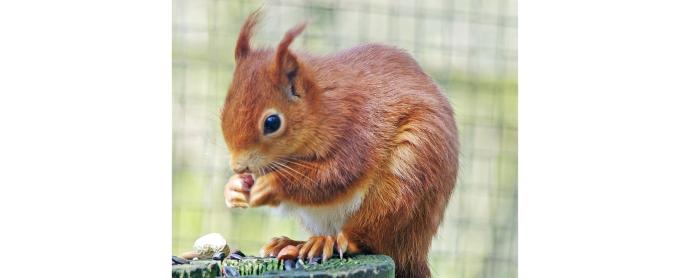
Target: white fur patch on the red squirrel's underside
<point>324,220</point>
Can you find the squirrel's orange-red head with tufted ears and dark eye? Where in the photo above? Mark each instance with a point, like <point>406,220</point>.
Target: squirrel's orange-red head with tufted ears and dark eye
<point>268,113</point>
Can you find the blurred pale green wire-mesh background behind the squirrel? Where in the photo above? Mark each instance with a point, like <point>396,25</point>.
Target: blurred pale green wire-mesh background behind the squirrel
<point>469,47</point>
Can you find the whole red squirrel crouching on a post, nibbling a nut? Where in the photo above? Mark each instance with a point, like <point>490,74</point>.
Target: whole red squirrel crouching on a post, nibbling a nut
<point>360,145</point>
